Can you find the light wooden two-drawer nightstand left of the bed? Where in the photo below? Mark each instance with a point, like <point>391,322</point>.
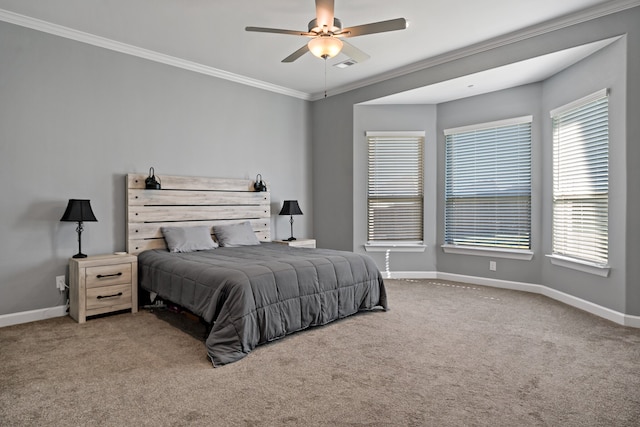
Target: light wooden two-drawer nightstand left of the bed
<point>102,284</point>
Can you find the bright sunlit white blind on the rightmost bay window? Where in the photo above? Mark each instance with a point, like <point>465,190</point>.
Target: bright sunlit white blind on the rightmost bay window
<point>581,179</point>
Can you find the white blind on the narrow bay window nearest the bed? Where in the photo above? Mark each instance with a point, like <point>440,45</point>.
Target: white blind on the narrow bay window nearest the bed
<point>395,186</point>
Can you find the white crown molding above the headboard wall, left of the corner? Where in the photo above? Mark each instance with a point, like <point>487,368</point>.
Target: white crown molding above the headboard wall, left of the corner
<point>103,42</point>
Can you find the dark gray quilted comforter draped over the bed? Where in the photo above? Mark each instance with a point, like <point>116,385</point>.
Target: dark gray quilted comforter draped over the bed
<point>255,294</point>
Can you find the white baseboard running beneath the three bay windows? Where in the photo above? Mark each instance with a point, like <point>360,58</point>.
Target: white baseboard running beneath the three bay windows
<point>589,307</point>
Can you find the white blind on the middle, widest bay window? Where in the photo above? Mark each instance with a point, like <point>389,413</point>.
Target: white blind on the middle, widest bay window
<point>488,185</point>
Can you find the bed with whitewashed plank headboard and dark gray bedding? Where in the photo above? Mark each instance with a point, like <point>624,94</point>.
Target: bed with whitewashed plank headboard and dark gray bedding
<point>249,290</point>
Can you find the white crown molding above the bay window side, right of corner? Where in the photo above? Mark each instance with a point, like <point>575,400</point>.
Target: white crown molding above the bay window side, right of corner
<point>585,15</point>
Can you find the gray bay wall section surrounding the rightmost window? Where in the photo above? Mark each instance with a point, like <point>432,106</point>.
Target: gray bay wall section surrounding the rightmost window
<point>604,69</point>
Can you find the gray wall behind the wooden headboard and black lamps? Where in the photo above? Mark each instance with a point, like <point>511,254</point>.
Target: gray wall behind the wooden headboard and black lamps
<point>74,119</point>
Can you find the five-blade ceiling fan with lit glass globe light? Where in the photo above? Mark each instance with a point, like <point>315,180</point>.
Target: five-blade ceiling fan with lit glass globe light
<point>326,33</point>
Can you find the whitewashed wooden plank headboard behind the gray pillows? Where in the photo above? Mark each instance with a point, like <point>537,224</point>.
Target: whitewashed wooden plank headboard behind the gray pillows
<point>188,201</point>
